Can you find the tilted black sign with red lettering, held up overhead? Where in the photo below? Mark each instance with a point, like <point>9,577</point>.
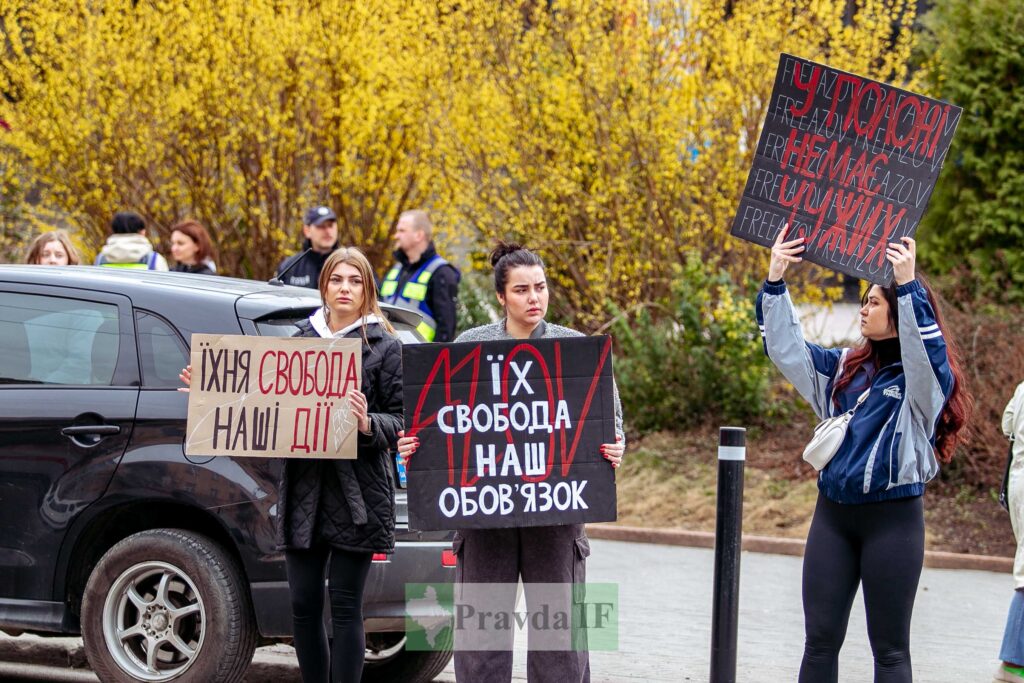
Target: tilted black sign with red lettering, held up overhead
<point>849,163</point>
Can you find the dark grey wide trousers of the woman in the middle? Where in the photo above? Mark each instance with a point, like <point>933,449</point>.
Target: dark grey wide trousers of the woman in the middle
<point>540,556</point>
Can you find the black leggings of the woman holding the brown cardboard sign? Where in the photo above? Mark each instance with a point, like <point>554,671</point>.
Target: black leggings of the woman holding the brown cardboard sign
<point>347,580</point>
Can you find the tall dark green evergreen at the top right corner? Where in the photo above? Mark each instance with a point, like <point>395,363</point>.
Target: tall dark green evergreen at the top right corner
<point>972,54</point>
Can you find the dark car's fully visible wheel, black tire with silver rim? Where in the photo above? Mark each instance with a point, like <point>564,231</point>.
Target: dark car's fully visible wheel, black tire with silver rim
<point>168,605</point>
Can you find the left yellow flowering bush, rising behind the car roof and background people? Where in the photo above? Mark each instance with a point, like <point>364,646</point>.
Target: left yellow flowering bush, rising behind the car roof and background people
<point>238,113</point>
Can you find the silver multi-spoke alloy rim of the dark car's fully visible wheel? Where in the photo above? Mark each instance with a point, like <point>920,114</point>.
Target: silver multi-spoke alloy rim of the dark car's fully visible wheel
<point>154,622</point>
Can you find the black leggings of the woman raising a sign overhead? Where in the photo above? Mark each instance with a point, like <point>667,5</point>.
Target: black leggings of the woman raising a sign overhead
<point>882,546</point>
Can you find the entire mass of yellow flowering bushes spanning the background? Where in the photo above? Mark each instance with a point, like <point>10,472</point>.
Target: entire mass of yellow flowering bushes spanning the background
<point>613,136</point>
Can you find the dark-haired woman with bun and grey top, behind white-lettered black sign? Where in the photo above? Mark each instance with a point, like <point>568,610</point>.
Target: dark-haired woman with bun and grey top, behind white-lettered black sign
<point>538,554</point>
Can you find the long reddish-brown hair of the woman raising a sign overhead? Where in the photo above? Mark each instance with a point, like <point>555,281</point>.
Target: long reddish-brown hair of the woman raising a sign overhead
<point>958,410</point>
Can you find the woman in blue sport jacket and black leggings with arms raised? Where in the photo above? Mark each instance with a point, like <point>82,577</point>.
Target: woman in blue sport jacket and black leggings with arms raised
<point>869,526</point>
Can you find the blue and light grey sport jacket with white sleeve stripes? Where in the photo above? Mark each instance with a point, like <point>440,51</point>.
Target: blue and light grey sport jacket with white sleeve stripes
<point>889,450</point>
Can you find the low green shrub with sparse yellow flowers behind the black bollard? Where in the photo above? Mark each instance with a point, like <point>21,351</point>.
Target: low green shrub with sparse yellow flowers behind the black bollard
<point>696,358</point>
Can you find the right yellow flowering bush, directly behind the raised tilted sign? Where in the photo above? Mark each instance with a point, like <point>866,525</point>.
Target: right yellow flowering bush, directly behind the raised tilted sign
<point>616,136</point>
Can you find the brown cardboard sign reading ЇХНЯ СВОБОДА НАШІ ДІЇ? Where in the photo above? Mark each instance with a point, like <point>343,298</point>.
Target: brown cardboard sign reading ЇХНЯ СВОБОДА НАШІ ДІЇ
<point>273,397</point>
